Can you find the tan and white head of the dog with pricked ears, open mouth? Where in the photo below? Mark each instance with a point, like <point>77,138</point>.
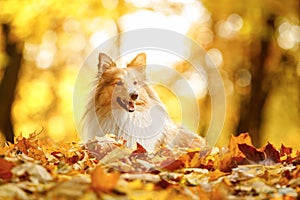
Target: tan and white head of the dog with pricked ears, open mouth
<point>122,88</point>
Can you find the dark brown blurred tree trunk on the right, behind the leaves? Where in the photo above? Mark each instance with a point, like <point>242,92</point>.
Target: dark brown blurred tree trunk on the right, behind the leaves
<point>251,111</point>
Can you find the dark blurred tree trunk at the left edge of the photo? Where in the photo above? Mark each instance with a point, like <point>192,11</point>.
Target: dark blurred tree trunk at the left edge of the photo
<point>9,83</point>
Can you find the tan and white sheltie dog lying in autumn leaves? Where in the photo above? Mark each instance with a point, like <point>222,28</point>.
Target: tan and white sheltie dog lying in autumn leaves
<point>123,104</point>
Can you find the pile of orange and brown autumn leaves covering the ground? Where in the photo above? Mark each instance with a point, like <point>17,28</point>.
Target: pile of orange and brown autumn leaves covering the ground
<point>35,168</point>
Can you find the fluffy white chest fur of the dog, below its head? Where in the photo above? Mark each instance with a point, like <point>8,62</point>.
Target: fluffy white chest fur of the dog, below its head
<point>143,127</point>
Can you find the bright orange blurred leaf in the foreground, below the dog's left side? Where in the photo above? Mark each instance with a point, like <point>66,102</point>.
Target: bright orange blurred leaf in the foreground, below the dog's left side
<point>103,181</point>
